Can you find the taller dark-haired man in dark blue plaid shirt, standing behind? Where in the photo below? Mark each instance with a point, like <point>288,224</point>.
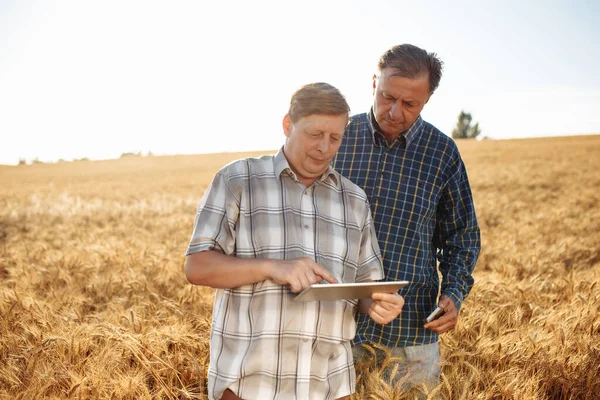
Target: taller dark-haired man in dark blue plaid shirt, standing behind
<point>422,209</point>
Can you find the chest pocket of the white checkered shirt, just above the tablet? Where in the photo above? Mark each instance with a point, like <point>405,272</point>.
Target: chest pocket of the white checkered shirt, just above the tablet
<point>340,250</point>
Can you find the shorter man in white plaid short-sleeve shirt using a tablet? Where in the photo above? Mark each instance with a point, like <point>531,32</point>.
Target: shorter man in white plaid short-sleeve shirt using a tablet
<point>269,227</point>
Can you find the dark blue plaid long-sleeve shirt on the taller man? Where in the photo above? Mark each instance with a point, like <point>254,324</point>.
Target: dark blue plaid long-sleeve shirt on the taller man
<point>423,213</point>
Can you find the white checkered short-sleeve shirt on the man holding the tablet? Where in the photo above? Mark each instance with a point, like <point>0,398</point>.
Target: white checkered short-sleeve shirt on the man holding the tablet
<point>263,344</point>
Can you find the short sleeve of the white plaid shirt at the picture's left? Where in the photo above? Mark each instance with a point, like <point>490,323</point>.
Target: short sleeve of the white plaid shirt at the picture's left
<point>216,218</point>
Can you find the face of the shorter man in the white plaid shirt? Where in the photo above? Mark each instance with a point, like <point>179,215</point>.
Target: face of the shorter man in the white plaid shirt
<point>311,143</point>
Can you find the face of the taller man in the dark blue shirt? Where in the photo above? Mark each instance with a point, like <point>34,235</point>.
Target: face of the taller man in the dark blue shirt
<point>398,101</point>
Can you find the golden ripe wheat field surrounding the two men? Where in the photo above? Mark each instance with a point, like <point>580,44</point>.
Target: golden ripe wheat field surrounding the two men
<point>94,303</point>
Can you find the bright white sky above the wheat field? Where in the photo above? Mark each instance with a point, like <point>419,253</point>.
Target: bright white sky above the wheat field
<point>96,79</point>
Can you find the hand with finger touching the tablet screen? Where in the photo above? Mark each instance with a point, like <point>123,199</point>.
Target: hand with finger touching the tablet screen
<point>299,273</point>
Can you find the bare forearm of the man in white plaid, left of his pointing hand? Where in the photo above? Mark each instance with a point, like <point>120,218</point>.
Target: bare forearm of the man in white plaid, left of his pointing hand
<point>220,271</point>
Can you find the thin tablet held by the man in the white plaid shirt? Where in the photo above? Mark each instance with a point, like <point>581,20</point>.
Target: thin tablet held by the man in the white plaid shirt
<point>339,291</point>
